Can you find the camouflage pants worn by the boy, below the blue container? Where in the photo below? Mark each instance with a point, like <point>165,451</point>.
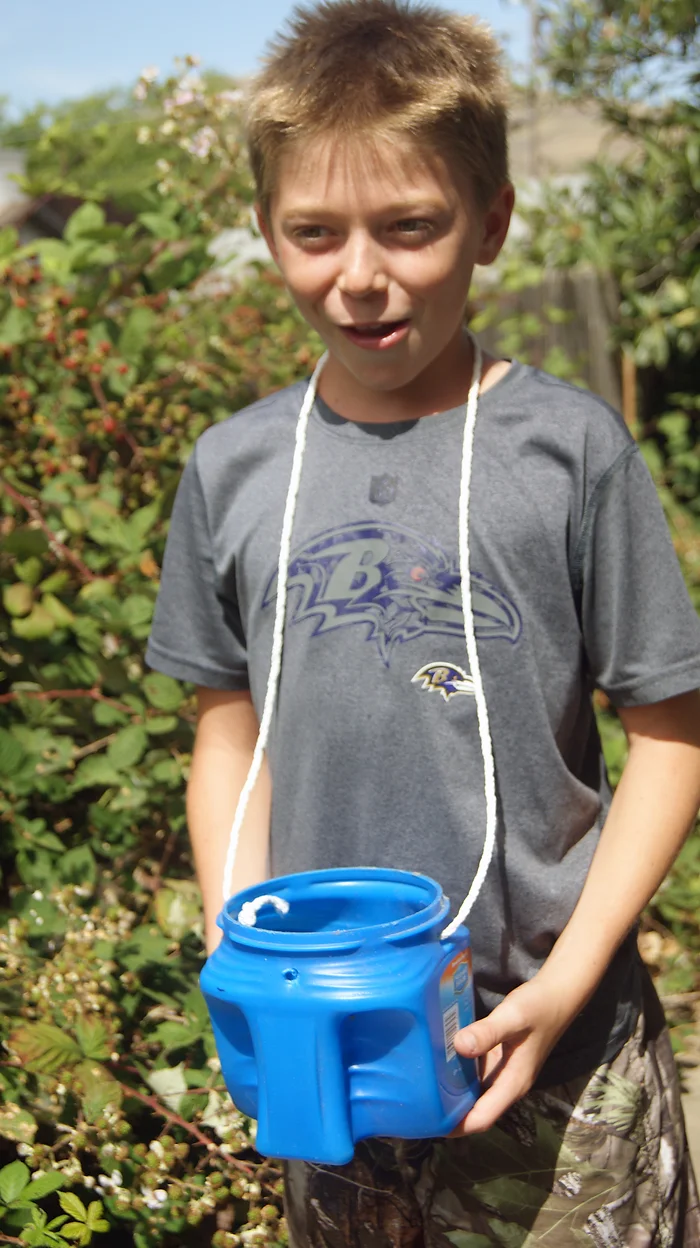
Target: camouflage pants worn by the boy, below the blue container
<point>601,1163</point>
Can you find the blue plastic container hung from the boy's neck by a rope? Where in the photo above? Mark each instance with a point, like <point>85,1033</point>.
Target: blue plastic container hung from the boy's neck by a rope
<point>335,1021</point>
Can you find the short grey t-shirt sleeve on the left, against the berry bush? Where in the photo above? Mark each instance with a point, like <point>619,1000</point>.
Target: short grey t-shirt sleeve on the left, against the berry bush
<point>197,633</point>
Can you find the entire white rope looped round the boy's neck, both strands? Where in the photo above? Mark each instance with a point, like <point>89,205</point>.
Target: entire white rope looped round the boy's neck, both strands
<point>470,636</point>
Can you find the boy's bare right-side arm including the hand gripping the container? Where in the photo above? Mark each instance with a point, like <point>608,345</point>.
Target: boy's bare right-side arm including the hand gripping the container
<point>652,813</point>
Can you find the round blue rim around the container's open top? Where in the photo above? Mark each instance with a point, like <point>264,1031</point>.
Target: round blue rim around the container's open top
<point>432,914</point>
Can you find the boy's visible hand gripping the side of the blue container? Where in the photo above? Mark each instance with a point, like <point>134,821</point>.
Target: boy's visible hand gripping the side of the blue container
<point>513,1044</point>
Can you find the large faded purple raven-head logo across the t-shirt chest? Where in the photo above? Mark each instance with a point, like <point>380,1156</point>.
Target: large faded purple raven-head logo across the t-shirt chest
<point>394,583</point>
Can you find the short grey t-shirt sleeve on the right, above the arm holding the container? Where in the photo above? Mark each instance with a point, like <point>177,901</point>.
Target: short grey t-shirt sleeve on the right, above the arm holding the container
<point>642,633</point>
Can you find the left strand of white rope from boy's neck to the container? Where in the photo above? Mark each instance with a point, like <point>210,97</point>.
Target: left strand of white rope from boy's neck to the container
<point>279,628</point>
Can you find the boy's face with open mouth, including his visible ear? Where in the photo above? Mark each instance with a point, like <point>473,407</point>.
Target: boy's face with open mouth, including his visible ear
<point>377,246</point>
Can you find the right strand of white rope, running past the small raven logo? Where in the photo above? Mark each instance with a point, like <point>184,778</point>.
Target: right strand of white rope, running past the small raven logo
<point>472,653</point>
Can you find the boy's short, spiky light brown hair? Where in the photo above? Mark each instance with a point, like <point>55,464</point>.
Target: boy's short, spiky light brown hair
<point>384,69</point>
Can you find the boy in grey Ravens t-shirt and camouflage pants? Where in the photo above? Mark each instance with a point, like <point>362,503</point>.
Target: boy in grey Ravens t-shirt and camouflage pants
<point>377,137</point>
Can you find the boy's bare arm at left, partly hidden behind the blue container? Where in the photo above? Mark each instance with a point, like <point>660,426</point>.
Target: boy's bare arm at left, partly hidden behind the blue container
<point>226,736</point>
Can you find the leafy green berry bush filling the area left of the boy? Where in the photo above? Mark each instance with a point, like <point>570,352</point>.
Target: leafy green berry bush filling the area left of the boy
<point>113,361</point>
